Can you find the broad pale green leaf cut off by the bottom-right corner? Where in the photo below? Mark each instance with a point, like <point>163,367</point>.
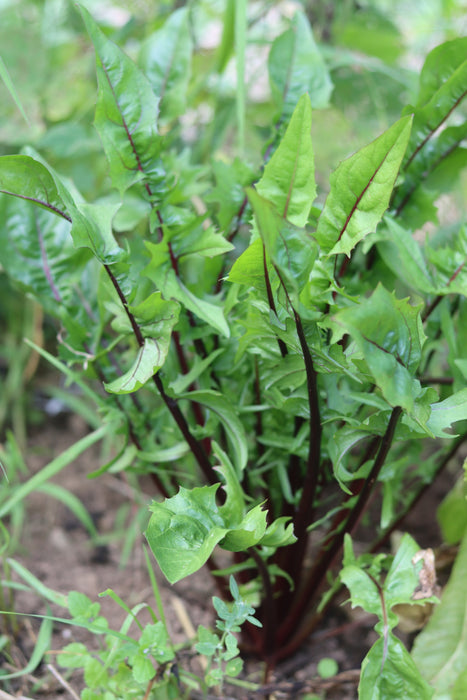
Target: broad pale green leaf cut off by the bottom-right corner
<point>440,650</point>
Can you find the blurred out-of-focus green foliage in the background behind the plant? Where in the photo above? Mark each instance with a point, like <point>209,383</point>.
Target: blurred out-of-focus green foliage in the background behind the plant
<point>373,48</point>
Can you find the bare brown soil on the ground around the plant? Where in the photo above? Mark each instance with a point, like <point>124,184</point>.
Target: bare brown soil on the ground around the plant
<point>57,550</point>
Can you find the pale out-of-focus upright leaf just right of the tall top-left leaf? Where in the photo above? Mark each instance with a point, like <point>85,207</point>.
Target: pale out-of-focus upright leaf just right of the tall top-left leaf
<point>165,58</point>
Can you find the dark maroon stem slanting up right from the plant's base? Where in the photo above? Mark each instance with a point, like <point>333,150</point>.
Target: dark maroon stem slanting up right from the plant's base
<point>318,572</point>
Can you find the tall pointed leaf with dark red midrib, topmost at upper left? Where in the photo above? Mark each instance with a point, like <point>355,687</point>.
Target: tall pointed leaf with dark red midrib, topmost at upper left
<point>126,114</point>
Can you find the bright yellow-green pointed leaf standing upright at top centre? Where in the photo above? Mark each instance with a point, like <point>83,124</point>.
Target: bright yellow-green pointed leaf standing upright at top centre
<point>288,180</point>
